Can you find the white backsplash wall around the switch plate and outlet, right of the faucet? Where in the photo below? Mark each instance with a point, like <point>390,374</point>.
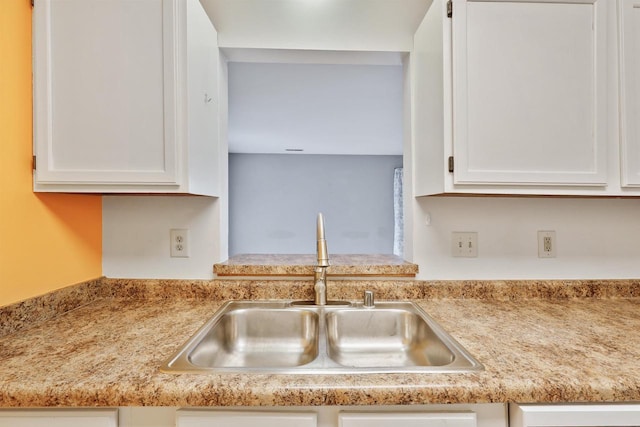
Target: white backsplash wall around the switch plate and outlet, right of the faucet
<point>596,238</point>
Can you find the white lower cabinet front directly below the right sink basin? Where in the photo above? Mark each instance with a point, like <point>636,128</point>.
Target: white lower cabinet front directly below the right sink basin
<point>397,419</point>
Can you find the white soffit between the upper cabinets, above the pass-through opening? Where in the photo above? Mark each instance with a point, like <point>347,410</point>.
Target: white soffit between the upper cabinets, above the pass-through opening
<point>382,25</point>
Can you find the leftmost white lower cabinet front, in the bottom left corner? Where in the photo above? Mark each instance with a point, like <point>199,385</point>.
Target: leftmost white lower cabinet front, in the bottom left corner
<point>59,418</point>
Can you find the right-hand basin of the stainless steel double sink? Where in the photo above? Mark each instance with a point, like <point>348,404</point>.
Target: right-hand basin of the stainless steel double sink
<point>384,338</point>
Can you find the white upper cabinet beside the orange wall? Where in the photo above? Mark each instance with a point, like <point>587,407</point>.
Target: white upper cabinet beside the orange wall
<point>125,97</point>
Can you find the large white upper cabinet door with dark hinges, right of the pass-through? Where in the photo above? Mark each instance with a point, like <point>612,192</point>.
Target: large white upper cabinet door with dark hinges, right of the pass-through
<point>529,92</point>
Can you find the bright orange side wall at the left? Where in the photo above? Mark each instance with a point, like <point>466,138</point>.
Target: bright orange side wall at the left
<point>47,241</point>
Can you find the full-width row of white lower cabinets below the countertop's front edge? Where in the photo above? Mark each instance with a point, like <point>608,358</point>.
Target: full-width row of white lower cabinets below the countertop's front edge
<point>455,415</point>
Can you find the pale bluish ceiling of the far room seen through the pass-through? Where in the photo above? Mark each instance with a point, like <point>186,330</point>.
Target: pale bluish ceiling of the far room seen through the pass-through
<point>321,108</point>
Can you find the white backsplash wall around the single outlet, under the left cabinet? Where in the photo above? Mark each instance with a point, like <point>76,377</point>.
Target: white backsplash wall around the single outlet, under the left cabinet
<point>135,239</point>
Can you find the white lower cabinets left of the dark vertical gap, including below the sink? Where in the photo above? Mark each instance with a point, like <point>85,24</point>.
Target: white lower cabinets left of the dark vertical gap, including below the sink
<point>454,415</point>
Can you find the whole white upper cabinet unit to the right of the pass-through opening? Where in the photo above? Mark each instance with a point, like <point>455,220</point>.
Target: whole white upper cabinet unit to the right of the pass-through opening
<point>522,97</point>
